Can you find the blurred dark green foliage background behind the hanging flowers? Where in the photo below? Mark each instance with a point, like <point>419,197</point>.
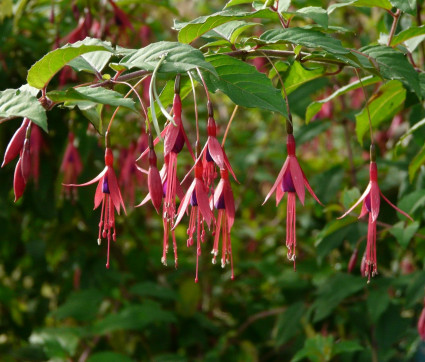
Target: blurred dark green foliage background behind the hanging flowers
<point>58,302</point>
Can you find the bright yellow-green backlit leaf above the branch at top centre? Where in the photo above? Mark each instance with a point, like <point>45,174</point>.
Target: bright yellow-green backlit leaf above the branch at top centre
<point>192,30</point>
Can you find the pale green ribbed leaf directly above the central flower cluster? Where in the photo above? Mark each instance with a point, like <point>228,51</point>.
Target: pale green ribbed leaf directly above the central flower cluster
<point>180,58</point>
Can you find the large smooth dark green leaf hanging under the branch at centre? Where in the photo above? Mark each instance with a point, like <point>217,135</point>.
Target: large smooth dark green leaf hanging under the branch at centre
<point>244,84</point>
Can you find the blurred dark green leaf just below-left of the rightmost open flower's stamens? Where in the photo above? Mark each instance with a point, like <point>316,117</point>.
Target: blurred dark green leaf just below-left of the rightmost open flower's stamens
<point>333,291</point>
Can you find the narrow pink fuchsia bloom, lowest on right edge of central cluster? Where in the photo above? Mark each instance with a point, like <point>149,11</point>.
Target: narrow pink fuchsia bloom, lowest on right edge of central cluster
<point>225,204</point>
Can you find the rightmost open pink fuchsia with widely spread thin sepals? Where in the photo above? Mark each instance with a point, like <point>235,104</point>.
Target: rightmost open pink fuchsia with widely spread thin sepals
<point>371,202</point>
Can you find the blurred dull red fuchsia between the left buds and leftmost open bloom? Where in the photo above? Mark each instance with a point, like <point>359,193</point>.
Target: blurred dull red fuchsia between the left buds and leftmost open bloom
<point>71,166</point>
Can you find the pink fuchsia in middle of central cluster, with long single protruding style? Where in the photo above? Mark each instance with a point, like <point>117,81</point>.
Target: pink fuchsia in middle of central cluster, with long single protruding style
<point>197,196</point>
